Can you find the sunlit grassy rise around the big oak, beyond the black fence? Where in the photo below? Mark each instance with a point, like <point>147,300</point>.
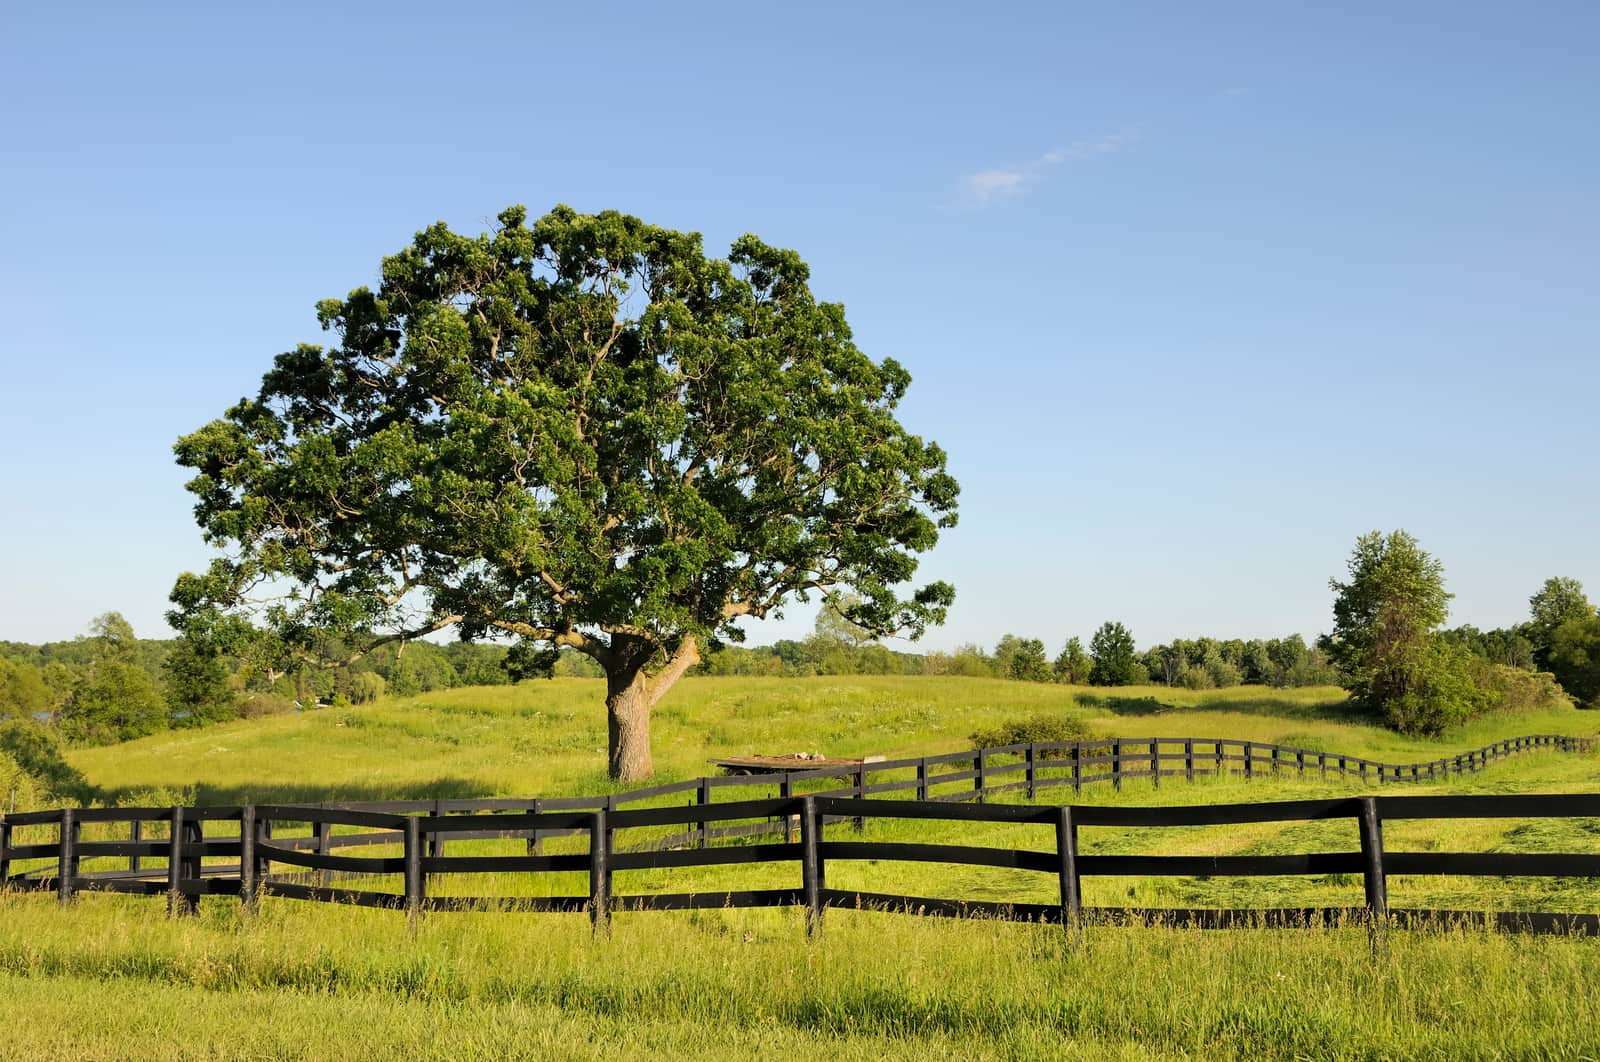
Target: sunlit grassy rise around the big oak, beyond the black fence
<point>548,738</point>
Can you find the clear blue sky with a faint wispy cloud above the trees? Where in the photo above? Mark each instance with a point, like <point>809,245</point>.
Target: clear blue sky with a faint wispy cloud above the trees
<point>1193,293</point>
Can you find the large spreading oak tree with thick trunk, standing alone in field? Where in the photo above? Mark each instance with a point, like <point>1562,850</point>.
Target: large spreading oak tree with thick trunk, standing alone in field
<point>583,433</point>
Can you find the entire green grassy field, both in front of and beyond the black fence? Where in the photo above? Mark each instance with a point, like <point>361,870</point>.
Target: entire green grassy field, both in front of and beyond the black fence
<point>111,980</point>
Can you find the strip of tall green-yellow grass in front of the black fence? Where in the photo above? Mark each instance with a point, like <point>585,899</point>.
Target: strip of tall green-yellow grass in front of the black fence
<point>98,981</point>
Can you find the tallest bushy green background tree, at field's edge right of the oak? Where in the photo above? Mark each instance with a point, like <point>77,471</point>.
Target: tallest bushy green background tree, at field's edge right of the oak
<point>1385,617</point>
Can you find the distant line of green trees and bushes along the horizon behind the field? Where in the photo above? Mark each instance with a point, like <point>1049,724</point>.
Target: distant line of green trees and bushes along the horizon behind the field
<point>1388,649</point>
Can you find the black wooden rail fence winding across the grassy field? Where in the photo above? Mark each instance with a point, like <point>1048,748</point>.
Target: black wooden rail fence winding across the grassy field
<point>238,858</point>
